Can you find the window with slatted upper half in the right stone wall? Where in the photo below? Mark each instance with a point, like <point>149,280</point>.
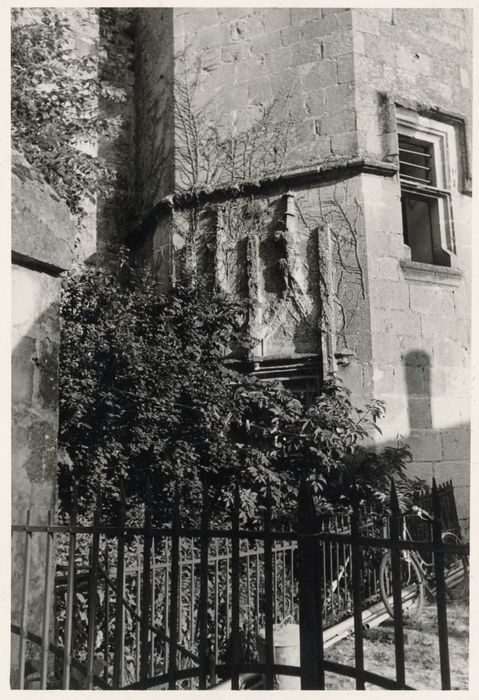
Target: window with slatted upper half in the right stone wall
<point>428,176</point>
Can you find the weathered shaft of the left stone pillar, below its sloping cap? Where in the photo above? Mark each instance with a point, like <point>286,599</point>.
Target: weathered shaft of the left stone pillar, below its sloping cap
<point>35,341</point>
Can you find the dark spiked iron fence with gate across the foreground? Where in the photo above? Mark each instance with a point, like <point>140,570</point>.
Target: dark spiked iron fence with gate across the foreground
<point>180,607</point>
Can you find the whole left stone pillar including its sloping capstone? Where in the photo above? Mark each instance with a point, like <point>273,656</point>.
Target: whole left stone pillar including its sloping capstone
<point>44,239</point>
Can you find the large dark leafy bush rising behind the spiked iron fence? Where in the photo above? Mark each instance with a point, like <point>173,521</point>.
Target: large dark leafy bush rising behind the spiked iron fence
<point>148,399</point>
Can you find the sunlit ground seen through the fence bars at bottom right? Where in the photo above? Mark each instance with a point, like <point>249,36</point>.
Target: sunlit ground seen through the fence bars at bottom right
<point>421,651</point>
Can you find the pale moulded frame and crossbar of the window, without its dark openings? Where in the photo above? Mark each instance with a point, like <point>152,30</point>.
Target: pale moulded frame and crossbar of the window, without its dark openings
<point>441,137</point>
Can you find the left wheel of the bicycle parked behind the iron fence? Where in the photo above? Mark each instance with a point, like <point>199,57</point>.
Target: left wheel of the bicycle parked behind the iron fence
<point>412,586</point>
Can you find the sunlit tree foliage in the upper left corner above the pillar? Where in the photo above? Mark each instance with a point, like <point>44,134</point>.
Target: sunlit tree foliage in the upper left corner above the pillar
<point>56,96</point>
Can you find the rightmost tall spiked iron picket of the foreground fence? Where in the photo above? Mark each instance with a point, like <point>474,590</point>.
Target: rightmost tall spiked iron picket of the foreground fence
<point>440,591</point>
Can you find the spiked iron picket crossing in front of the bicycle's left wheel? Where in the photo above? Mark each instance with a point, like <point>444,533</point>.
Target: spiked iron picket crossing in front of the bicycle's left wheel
<point>395,532</point>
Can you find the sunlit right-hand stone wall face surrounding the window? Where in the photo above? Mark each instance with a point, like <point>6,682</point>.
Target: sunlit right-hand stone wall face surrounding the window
<point>420,314</point>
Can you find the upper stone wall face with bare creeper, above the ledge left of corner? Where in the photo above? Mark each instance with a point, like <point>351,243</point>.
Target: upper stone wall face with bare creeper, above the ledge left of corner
<point>273,85</point>
